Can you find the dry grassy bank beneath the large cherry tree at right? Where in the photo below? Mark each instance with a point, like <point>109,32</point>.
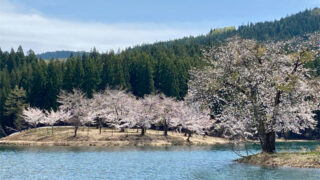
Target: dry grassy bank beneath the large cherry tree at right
<point>285,159</point>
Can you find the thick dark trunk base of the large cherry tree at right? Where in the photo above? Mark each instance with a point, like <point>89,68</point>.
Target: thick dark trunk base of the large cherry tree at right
<point>267,141</point>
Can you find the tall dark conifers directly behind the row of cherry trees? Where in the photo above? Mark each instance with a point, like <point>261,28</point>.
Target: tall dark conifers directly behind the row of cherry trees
<point>24,79</point>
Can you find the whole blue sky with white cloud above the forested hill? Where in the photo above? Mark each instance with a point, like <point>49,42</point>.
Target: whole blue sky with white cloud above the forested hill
<point>80,25</point>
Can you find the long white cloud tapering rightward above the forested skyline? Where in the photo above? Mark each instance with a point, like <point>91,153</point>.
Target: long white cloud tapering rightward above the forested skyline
<point>34,31</point>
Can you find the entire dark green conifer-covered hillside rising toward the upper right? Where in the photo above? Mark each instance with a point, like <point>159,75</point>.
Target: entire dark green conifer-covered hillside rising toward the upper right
<point>160,67</point>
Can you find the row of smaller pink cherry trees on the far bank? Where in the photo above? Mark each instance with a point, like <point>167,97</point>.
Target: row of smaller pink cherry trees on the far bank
<point>118,109</point>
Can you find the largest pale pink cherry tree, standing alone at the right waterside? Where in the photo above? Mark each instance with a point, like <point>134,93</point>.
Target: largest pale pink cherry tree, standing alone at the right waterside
<point>260,89</point>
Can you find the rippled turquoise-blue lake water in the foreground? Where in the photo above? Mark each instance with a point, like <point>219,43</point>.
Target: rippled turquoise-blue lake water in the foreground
<point>142,163</point>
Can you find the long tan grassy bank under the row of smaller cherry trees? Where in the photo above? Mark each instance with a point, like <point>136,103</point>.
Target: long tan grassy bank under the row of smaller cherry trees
<point>63,136</point>
